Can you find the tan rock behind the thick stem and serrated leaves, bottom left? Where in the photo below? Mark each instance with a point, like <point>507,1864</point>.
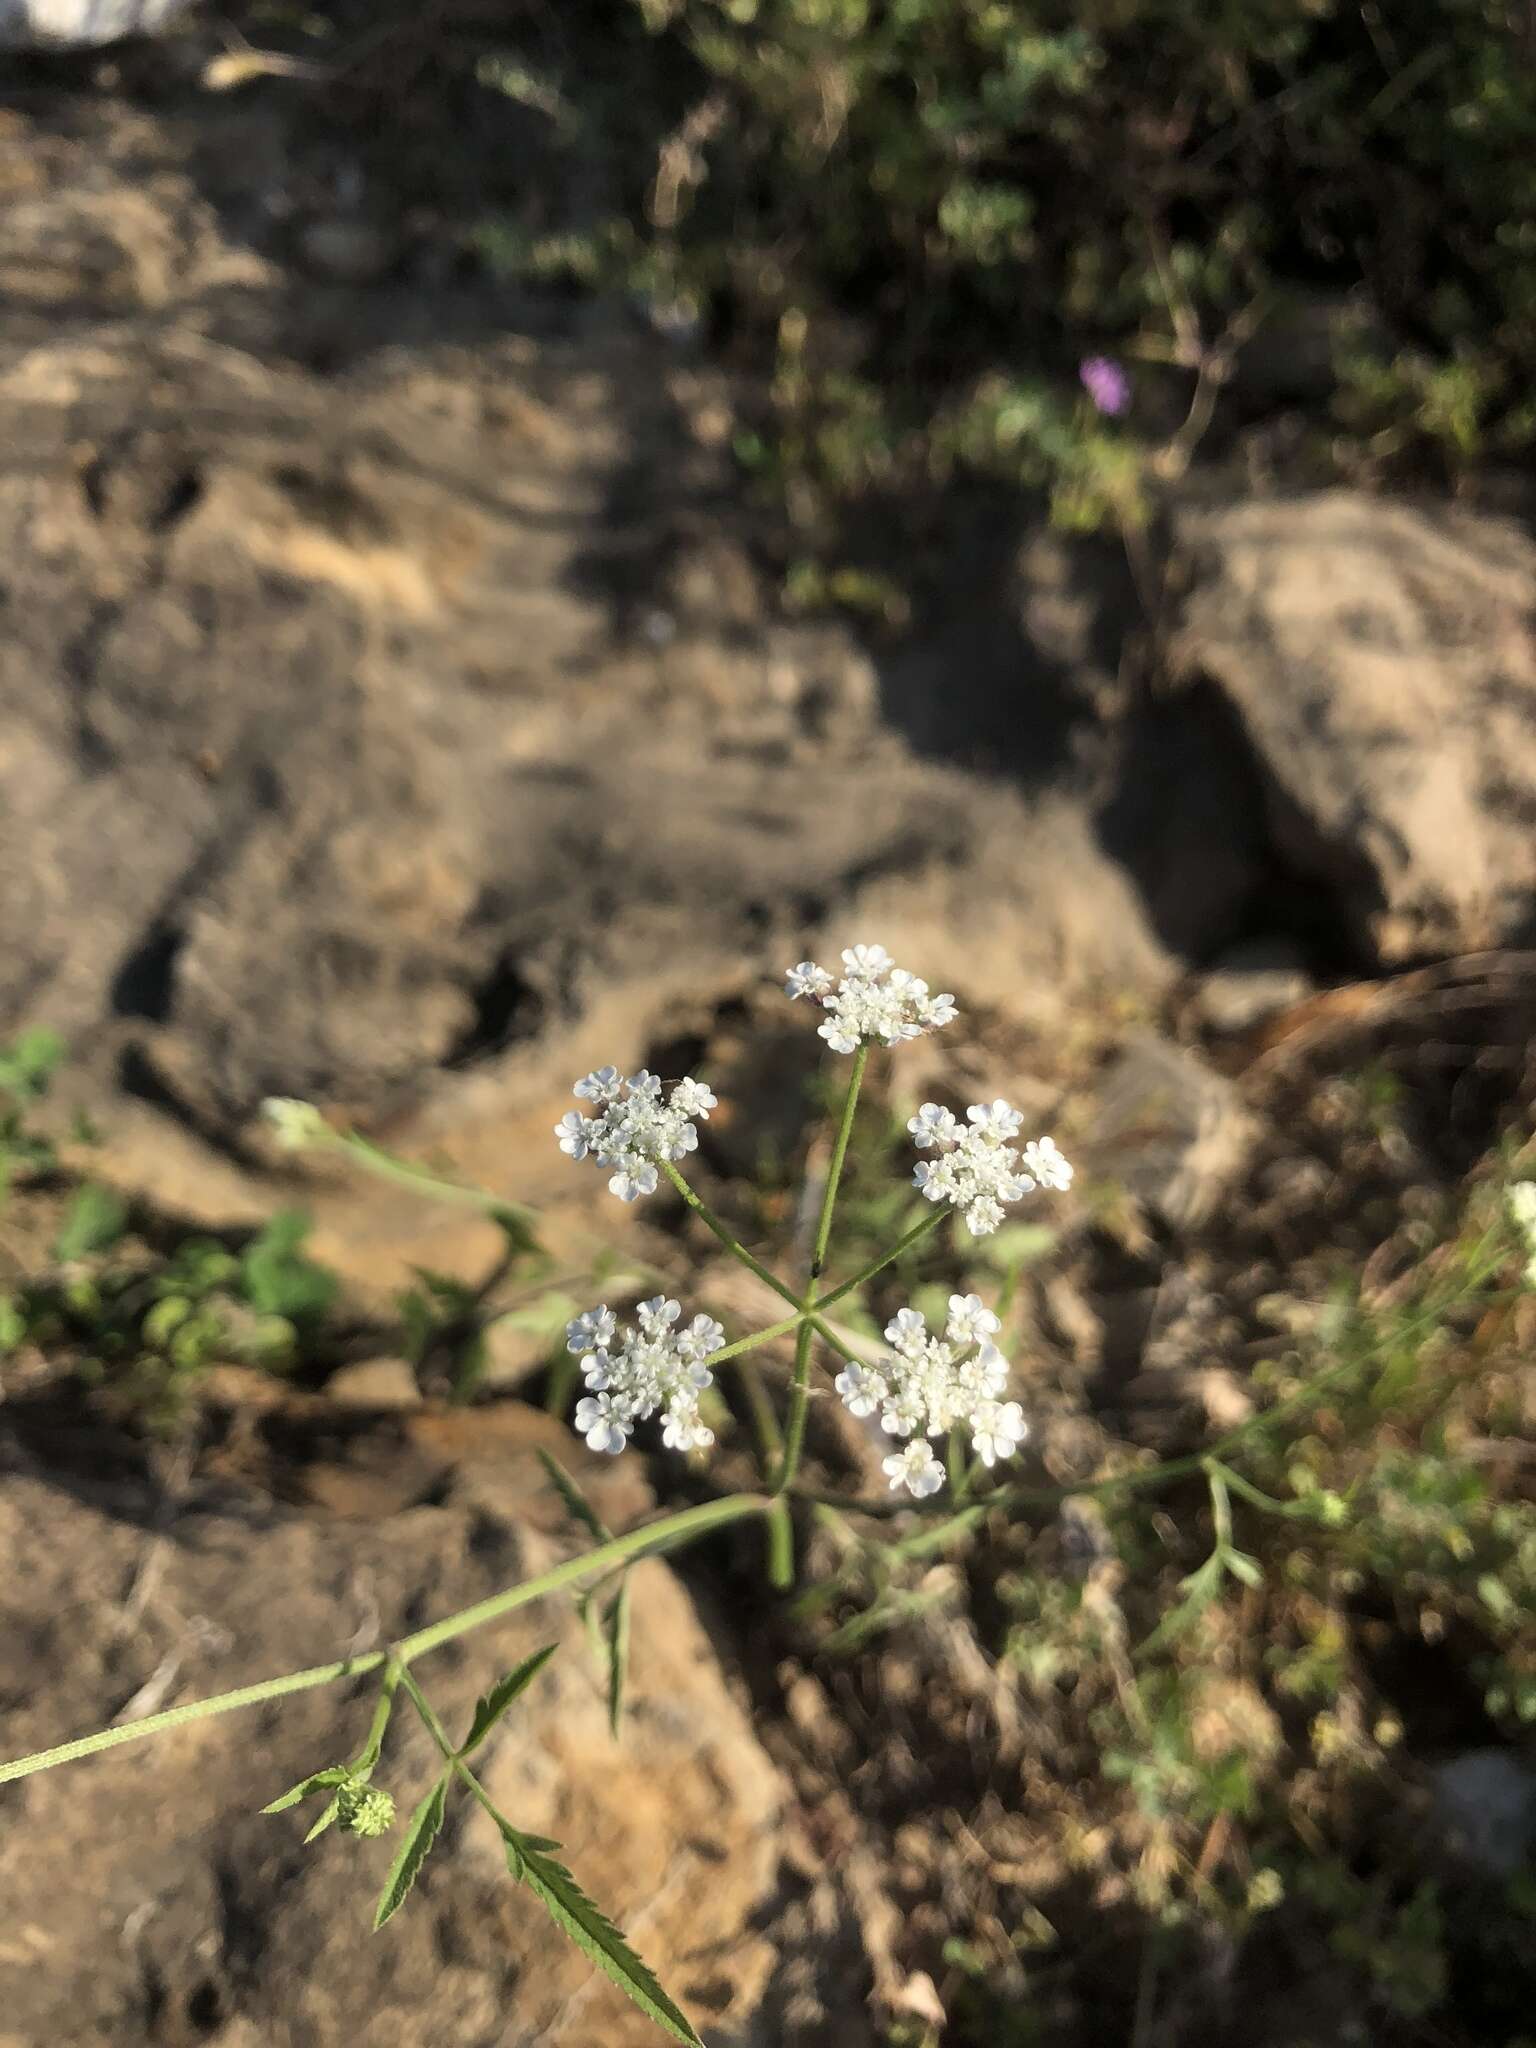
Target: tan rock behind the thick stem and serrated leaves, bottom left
<point>151,1883</point>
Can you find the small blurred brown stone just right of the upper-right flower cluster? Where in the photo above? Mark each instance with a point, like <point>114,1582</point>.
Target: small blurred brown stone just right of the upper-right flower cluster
<point>1170,1132</point>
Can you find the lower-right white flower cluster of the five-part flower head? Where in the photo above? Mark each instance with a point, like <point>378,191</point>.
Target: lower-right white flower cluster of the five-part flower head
<point>933,1385</point>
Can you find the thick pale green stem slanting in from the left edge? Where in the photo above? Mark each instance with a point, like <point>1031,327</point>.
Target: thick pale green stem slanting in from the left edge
<point>638,1543</point>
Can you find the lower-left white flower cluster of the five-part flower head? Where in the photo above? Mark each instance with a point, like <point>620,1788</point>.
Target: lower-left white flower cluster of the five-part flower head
<point>634,1373</point>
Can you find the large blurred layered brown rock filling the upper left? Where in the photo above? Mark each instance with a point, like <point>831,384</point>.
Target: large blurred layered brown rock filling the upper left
<point>384,693</point>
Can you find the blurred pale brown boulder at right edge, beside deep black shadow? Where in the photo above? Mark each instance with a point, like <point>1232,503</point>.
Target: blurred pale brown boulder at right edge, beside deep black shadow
<point>1381,673</point>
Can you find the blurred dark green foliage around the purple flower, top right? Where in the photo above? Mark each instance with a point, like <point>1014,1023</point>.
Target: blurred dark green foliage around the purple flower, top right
<point>921,216</point>
